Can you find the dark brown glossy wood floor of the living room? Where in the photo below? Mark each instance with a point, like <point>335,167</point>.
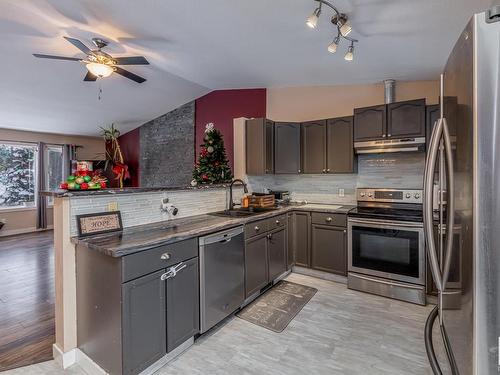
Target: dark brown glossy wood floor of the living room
<point>27,328</point>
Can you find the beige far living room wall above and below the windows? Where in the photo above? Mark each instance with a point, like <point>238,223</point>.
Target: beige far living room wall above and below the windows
<point>25,220</point>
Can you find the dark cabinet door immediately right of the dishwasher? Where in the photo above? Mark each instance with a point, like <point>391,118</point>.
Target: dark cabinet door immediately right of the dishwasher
<point>256,264</point>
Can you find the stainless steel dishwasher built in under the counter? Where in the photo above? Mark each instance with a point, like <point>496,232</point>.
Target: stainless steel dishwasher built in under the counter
<point>222,275</point>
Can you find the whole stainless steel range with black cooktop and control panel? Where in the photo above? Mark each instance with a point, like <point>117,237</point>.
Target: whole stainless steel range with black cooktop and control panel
<point>386,244</point>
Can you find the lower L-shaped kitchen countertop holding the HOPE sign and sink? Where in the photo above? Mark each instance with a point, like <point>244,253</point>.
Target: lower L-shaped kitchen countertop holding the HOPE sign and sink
<point>143,237</point>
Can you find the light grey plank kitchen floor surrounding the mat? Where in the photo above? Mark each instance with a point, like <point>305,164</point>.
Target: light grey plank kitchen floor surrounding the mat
<point>339,331</point>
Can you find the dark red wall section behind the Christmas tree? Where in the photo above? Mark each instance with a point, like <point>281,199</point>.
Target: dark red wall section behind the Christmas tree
<point>221,107</point>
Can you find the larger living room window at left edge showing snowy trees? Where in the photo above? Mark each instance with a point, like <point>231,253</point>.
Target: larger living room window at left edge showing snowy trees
<point>17,175</point>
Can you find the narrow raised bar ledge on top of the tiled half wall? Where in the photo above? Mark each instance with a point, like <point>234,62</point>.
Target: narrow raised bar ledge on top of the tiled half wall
<point>60,193</point>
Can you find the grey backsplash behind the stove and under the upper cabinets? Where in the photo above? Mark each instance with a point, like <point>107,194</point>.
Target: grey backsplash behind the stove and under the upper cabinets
<point>391,170</point>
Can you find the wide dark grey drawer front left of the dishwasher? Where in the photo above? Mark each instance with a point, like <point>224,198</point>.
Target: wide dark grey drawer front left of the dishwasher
<point>147,261</point>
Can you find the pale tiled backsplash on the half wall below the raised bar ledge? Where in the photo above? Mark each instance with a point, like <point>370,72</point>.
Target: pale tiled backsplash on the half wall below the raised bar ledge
<point>144,208</point>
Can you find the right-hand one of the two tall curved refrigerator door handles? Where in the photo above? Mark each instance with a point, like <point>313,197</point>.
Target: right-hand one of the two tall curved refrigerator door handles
<point>450,207</point>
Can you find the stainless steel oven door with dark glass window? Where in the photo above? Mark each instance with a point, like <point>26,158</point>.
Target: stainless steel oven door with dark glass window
<point>393,250</point>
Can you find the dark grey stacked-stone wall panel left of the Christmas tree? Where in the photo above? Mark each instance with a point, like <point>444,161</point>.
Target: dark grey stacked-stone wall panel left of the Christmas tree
<point>167,148</point>
